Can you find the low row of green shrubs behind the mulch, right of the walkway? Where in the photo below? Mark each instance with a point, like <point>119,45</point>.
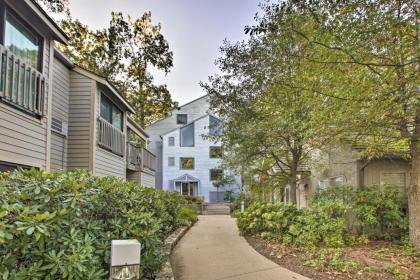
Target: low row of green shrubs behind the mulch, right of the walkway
<point>336,217</point>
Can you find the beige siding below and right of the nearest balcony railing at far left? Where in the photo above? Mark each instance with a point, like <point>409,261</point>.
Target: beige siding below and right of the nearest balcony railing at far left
<point>23,138</point>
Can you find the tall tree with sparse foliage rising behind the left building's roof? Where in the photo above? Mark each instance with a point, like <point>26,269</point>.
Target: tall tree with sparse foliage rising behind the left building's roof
<point>124,52</point>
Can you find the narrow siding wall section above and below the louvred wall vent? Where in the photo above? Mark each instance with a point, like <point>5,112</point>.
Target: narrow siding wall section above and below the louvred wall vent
<point>60,111</point>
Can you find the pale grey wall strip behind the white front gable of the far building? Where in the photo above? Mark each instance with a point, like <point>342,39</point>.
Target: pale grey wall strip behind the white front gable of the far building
<point>194,110</point>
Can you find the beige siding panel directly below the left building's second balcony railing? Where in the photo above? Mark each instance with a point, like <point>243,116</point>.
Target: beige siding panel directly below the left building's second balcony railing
<point>109,164</point>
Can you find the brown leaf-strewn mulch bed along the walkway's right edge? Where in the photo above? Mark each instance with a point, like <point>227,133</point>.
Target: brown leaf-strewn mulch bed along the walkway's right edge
<point>372,259</point>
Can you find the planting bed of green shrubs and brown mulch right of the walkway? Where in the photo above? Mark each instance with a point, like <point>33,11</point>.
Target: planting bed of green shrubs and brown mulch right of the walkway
<point>343,230</point>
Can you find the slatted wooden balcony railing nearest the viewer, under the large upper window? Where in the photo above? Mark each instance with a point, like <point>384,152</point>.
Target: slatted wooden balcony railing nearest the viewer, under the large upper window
<point>20,83</point>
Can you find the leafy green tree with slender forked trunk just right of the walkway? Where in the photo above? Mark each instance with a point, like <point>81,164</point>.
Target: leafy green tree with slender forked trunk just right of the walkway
<point>270,117</point>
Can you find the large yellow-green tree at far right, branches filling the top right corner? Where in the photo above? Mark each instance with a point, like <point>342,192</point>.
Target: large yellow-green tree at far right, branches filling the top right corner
<point>367,54</point>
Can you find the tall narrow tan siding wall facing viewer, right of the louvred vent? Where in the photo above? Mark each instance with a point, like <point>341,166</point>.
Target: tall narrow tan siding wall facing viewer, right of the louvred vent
<point>79,121</point>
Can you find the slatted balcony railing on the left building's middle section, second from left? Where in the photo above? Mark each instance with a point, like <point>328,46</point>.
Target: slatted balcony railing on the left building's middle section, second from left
<point>110,137</point>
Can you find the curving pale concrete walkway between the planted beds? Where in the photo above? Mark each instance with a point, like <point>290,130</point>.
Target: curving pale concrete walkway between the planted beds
<point>213,250</point>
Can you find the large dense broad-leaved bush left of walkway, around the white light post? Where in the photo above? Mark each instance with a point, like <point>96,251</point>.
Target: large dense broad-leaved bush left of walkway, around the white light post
<point>60,225</point>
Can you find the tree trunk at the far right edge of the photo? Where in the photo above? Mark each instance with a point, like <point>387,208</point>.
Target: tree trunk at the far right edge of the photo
<point>414,191</point>
